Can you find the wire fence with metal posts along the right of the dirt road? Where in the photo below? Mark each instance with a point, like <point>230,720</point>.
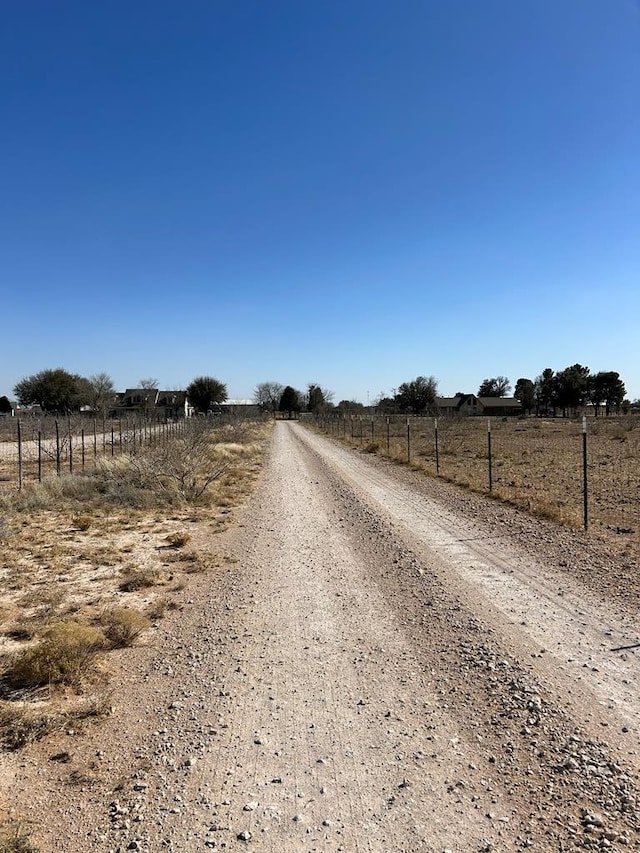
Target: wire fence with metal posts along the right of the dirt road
<point>583,472</point>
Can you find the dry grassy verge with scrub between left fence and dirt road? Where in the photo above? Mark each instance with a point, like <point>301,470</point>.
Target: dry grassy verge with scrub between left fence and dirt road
<point>93,560</point>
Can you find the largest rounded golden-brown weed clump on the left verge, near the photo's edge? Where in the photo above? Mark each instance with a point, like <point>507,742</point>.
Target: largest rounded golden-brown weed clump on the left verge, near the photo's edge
<point>65,654</point>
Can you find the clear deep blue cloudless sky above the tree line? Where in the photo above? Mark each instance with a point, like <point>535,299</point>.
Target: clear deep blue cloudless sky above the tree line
<point>346,192</point>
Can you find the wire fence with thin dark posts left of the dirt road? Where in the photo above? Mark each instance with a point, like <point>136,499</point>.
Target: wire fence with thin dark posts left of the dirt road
<point>32,448</point>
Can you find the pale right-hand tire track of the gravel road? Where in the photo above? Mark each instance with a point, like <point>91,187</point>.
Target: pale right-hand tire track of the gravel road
<point>555,613</point>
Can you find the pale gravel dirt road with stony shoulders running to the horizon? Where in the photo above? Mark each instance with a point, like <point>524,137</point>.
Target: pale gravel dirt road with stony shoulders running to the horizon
<point>383,665</point>
